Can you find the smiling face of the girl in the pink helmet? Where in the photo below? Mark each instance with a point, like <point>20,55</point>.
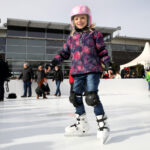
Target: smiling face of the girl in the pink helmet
<point>80,21</point>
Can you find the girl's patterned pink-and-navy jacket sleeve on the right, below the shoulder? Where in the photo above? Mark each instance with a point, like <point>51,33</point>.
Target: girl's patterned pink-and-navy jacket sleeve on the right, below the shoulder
<point>101,48</point>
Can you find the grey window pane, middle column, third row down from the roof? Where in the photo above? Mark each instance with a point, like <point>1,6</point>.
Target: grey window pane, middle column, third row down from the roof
<point>36,50</point>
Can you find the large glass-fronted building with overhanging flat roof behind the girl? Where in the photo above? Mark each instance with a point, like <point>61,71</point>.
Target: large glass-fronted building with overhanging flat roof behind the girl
<point>37,42</point>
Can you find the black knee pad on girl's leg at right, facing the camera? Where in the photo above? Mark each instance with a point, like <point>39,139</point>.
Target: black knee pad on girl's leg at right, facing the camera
<point>92,98</point>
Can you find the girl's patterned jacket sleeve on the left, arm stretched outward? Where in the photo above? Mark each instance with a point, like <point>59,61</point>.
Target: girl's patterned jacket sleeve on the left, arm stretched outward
<point>64,54</point>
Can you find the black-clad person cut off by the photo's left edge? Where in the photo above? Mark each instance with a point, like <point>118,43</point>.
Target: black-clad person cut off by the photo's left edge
<point>4,75</point>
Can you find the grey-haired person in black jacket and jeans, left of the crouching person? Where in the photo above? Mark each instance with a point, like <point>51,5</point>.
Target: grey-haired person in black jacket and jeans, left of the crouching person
<point>27,77</point>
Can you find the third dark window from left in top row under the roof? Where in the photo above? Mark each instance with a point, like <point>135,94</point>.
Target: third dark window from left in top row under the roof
<point>57,34</point>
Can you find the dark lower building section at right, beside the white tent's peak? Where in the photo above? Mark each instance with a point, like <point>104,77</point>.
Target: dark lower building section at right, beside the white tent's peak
<point>125,49</point>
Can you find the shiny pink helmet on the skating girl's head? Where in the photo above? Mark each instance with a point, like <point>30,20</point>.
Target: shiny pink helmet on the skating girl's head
<point>81,9</point>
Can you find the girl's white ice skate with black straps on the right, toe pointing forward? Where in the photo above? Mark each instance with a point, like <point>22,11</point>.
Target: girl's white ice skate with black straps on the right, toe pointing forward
<point>103,129</point>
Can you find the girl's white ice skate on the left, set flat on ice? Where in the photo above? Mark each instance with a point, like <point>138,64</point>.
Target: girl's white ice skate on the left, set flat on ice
<point>80,128</point>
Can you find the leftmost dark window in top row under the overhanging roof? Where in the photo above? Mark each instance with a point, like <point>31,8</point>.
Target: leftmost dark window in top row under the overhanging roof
<point>16,31</point>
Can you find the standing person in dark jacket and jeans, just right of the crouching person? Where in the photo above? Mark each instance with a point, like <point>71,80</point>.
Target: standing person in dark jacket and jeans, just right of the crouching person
<point>58,77</point>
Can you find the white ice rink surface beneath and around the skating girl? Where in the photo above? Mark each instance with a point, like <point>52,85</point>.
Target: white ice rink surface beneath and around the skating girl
<point>27,124</point>
